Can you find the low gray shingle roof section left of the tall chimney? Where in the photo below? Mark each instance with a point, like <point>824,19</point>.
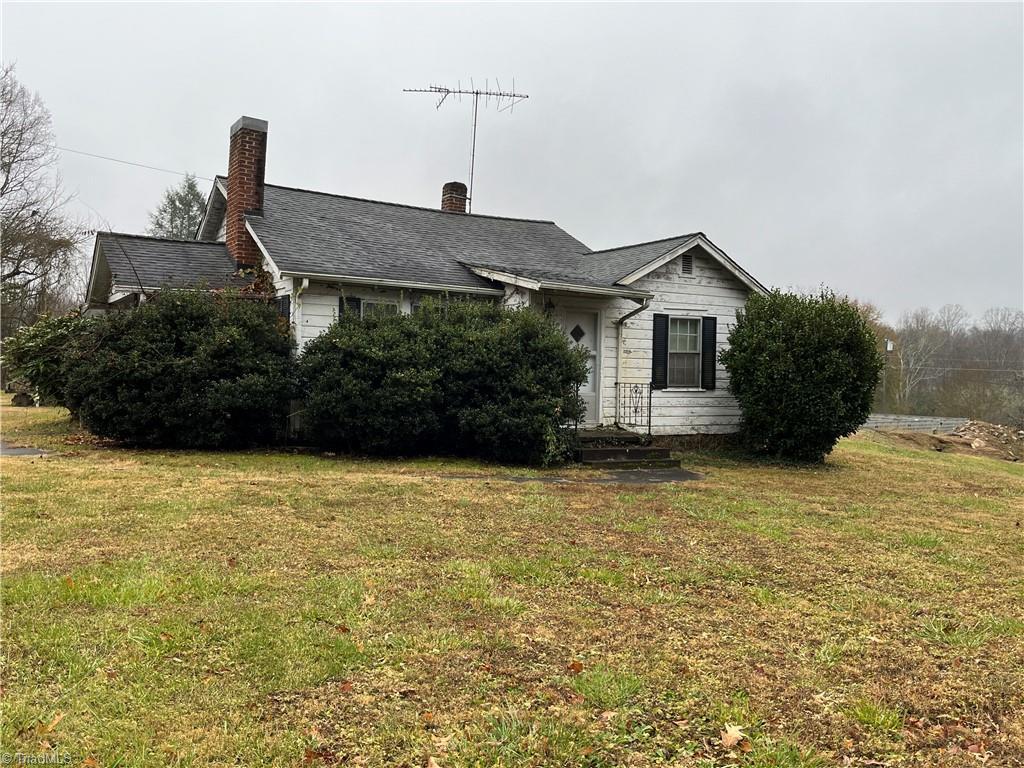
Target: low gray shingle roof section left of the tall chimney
<point>157,263</point>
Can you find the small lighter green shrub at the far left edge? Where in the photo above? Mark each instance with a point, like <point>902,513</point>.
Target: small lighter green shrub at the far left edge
<point>37,355</point>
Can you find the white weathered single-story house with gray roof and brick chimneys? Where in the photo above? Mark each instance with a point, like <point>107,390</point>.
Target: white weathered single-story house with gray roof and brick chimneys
<point>653,316</point>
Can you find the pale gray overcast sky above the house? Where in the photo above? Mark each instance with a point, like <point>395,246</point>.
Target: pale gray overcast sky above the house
<point>874,149</point>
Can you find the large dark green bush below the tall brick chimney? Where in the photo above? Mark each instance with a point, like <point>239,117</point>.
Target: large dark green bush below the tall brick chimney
<point>185,370</point>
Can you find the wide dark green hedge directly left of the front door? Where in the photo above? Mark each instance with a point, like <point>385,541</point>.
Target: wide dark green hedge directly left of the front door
<point>464,378</point>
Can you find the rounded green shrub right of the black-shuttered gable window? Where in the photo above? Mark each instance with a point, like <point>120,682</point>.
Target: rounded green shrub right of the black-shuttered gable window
<point>804,370</point>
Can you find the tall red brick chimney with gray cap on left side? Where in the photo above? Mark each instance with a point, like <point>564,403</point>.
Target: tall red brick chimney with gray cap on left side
<point>246,164</point>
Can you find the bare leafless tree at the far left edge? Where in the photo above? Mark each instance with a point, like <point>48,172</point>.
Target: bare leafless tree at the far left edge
<point>40,258</point>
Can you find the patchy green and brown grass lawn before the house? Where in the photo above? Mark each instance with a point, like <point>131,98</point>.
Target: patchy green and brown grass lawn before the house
<point>277,609</point>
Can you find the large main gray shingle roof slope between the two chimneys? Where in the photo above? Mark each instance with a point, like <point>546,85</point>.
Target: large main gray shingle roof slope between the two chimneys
<point>319,234</point>
